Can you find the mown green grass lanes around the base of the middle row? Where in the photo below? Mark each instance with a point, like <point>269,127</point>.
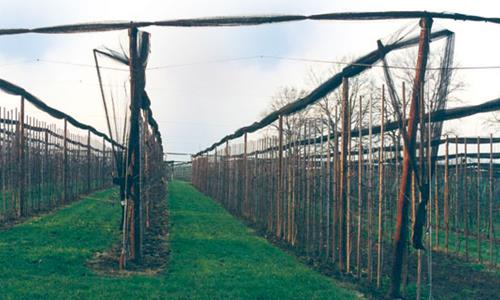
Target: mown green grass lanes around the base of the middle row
<point>213,256</point>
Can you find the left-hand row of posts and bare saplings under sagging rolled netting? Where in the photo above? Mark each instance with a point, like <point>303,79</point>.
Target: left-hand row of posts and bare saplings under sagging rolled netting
<point>47,164</point>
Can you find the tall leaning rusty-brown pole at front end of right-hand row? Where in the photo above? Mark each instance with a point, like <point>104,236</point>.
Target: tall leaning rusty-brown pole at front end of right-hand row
<point>400,236</point>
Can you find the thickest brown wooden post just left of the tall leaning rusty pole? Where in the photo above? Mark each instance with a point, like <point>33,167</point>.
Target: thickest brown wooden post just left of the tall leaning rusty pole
<point>343,175</point>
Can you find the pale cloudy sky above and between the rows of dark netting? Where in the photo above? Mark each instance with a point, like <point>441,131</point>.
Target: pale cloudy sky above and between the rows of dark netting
<point>202,101</point>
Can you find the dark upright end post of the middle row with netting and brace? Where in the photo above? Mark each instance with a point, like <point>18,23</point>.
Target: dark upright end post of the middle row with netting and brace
<point>141,170</point>
